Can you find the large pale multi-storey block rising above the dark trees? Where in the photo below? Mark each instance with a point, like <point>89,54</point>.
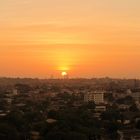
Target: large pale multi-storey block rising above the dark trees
<point>96,96</point>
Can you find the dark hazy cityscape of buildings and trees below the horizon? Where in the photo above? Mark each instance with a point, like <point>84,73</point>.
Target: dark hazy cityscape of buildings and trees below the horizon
<point>65,109</point>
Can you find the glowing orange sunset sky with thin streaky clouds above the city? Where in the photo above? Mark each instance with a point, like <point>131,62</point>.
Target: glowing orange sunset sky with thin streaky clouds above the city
<point>85,38</point>
